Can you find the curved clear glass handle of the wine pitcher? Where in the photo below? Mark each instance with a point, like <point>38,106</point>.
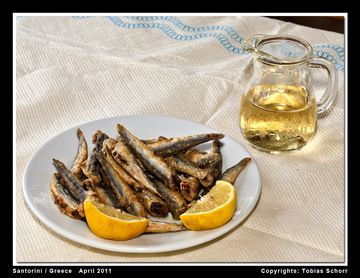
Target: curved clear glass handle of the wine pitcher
<point>332,86</point>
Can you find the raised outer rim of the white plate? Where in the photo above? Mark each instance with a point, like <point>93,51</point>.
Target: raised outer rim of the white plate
<point>131,249</point>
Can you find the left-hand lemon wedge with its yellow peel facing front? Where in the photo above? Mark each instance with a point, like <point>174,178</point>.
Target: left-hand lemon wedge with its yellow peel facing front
<point>110,223</point>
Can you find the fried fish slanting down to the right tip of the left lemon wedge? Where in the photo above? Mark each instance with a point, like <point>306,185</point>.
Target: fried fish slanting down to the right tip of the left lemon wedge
<point>121,189</point>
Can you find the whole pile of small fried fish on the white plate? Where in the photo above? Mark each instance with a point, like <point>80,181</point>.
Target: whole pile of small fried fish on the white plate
<point>141,177</point>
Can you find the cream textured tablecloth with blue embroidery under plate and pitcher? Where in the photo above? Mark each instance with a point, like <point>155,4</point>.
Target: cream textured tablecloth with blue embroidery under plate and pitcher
<point>72,70</point>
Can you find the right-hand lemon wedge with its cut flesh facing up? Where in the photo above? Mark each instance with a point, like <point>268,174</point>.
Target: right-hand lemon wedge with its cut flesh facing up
<point>213,210</point>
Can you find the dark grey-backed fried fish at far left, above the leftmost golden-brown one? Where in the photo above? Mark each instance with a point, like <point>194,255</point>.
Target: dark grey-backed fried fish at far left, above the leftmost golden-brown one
<point>72,183</point>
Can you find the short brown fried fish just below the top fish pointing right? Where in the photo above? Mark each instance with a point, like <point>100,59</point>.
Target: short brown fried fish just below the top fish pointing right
<point>184,166</point>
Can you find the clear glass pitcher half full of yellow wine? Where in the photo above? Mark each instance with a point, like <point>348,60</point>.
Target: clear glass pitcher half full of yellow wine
<point>278,110</point>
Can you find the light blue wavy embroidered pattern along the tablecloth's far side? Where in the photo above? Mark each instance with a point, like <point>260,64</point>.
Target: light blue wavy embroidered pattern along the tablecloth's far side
<point>225,35</point>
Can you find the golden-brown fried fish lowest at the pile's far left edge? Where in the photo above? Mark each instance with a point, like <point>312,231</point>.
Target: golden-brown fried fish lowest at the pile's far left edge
<point>63,199</point>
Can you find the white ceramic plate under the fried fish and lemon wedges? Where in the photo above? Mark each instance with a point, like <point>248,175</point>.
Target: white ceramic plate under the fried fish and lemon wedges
<point>64,146</point>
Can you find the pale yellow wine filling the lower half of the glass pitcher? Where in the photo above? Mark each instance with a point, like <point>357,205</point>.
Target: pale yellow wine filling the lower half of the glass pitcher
<point>278,117</point>
